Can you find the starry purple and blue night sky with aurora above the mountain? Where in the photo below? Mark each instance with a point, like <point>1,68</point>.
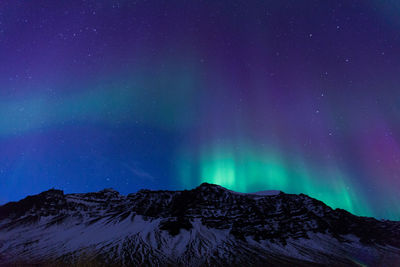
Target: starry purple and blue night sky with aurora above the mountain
<point>298,96</point>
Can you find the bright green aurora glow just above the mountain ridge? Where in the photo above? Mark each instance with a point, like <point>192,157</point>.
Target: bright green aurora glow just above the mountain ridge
<point>248,169</point>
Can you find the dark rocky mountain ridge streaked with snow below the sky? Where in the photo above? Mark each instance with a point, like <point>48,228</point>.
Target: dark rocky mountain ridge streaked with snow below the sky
<point>205,226</point>
